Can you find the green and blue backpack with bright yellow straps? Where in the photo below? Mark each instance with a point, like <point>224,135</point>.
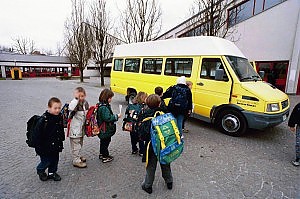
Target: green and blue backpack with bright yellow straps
<point>165,137</point>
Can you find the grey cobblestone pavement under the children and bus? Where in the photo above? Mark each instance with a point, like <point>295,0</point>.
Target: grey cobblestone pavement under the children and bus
<point>213,165</point>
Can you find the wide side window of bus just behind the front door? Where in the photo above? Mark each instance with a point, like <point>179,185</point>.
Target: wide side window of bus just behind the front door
<point>179,66</point>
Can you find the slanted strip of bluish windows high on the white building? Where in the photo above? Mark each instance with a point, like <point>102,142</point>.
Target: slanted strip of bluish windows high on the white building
<point>249,8</point>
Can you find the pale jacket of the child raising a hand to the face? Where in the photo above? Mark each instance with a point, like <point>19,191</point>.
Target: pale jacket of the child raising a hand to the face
<point>78,120</point>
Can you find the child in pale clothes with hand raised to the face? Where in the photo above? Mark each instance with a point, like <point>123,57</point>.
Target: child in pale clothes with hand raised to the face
<point>78,107</point>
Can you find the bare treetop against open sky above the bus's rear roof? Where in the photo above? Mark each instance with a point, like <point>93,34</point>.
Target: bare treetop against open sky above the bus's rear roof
<point>140,21</point>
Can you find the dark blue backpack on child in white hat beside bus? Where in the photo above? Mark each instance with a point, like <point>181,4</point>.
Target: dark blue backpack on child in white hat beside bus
<point>179,100</point>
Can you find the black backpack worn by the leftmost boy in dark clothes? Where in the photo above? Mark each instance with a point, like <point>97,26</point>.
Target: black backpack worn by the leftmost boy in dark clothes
<point>31,124</point>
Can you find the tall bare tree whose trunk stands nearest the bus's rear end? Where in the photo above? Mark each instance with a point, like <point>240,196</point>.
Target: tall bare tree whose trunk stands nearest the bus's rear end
<point>103,42</point>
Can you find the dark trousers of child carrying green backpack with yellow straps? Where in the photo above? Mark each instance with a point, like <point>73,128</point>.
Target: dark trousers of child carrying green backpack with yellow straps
<point>151,168</point>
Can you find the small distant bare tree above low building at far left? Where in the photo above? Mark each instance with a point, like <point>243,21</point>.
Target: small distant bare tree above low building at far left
<point>24,45</point>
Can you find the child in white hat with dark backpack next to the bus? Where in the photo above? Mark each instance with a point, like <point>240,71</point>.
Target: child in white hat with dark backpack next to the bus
<point>180,103</point>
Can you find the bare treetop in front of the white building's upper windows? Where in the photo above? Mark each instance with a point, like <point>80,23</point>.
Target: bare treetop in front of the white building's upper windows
<point>210,18</point>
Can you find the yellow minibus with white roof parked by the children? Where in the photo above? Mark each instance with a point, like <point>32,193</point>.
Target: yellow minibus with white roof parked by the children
<point>227,91</point>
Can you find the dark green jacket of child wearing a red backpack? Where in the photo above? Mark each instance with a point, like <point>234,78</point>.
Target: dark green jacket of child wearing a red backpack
<point>105,114</point>
